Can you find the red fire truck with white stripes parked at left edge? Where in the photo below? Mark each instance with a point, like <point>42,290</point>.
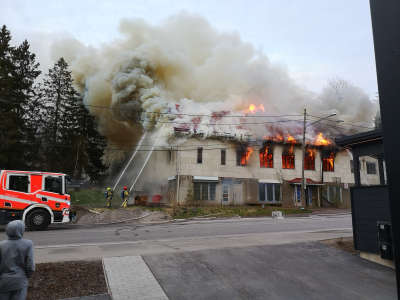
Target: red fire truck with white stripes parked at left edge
<point>37,198</point>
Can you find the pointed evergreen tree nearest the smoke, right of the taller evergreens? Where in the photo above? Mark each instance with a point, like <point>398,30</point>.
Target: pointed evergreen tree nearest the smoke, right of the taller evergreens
<point>74,145</point>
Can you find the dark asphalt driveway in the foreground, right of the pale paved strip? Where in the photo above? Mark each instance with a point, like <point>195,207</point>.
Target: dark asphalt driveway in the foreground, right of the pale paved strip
<point>292,271</point>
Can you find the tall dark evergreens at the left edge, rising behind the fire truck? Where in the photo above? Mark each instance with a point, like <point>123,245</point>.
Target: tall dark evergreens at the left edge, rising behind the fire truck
<point>18,72</point>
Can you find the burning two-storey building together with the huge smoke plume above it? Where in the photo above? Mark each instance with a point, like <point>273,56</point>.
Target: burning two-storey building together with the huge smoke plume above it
<point>219,121</point>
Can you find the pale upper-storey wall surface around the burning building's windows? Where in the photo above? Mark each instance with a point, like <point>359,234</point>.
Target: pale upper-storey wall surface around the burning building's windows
<point>160,167</point>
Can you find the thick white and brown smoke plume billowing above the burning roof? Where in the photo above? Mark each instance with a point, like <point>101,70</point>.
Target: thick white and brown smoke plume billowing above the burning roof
<point>163,77</point>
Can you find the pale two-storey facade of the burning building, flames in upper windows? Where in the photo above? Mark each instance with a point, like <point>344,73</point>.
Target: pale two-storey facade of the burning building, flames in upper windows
<point>210,171</point>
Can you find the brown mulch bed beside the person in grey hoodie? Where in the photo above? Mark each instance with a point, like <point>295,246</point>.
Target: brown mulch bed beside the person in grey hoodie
<point>67,279</point>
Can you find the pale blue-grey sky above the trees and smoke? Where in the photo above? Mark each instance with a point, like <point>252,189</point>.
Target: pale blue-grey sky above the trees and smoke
<point>315,40</point>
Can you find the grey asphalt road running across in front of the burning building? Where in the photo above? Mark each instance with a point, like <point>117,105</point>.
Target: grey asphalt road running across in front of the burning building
<point>78,235</point>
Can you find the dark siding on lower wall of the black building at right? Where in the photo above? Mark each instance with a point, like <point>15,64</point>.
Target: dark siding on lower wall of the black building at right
<point>370,204</point>
